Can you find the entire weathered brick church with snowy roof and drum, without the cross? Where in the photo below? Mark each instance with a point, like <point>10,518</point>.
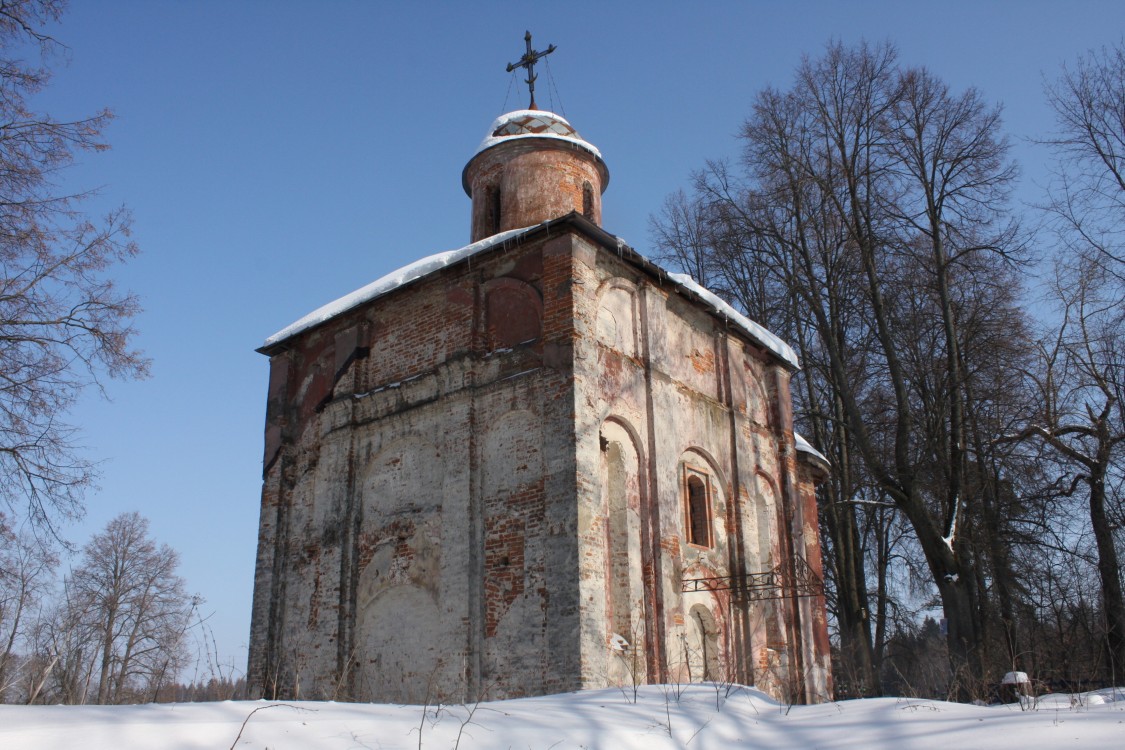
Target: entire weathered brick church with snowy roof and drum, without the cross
<point>535,465</point>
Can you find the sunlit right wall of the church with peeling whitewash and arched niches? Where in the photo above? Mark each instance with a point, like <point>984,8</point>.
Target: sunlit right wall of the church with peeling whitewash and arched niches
<point>685,397</point>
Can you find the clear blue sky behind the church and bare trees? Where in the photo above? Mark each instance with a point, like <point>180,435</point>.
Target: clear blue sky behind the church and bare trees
<point>277,156</point>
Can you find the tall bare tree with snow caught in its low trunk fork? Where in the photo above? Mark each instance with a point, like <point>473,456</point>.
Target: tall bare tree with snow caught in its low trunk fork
<point>955,180</point>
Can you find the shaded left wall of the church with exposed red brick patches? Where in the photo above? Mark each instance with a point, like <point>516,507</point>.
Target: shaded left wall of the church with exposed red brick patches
<point>415,504</point>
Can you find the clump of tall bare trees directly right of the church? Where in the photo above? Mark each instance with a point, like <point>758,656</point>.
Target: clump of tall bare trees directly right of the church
<point>878,201</point>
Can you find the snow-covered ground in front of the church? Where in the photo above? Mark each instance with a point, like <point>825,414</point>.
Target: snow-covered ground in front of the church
<point>694,717</point>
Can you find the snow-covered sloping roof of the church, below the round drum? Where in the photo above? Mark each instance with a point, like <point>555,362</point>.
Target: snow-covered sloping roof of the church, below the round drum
<point>428,266</point>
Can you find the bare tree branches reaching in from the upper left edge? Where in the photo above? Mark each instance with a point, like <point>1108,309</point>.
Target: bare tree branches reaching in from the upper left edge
<point>64,324</point>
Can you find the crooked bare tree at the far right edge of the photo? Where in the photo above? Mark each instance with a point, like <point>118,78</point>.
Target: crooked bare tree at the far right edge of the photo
<point>1082,375</point>
